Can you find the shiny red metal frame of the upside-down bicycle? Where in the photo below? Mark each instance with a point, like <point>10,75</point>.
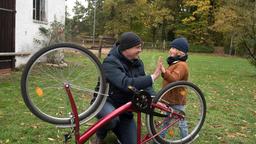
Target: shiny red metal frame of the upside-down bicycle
<point>80,139</point>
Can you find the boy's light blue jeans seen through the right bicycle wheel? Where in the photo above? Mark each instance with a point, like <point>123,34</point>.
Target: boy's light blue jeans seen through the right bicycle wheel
<point>182,124</point>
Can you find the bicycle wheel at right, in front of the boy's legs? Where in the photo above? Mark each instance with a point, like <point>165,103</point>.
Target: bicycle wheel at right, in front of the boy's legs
<point>174,129</point>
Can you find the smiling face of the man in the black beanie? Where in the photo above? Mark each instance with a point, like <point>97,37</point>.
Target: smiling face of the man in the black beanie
<point>132,53</point>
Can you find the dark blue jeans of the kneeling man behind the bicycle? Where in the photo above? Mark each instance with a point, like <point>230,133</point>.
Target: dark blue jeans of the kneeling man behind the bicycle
<point>123,127</point>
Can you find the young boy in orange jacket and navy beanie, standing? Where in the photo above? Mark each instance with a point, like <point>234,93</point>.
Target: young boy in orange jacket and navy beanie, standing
<point>177,71</point>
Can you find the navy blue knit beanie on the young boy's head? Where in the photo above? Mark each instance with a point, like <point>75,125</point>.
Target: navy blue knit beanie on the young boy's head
<point>180,44</point>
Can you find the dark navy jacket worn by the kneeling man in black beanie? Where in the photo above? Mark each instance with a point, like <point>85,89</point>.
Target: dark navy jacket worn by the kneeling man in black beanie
<point>120,73</point>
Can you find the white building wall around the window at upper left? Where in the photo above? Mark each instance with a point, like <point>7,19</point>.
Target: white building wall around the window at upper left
<point>27,28</point>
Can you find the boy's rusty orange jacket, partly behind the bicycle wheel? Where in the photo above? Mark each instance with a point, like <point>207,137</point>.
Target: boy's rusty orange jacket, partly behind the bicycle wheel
<point>176,72</point>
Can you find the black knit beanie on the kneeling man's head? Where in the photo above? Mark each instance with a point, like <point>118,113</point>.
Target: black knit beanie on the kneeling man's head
<point>128,40</point>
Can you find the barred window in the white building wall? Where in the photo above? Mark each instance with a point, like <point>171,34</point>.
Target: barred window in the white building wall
<point>39,10</point>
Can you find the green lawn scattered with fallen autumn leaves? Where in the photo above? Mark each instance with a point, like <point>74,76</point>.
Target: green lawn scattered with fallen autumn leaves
<point>229,85</point>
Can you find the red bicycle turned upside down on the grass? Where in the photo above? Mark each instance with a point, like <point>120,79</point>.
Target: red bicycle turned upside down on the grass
<point>59,82</point>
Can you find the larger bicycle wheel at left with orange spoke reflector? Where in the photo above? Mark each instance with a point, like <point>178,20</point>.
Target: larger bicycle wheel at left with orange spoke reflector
<point>43,79</point>
